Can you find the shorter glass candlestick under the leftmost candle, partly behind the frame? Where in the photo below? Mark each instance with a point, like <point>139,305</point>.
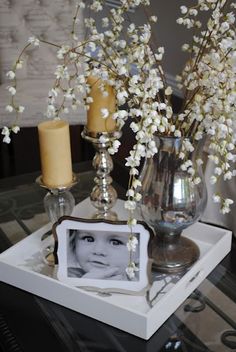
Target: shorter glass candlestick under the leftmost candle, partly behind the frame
<point>58,202</point>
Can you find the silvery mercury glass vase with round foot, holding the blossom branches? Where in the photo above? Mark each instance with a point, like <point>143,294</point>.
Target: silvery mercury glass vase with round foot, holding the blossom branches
<point>170,203</point>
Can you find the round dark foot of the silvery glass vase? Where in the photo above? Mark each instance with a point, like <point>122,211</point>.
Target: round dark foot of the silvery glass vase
<point>174,257</point>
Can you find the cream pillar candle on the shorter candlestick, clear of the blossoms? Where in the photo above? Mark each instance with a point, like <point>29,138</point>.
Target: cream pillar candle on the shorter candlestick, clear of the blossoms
<point>55,153</point>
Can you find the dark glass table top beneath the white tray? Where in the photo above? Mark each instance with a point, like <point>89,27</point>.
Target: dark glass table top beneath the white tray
<point>206,321</point>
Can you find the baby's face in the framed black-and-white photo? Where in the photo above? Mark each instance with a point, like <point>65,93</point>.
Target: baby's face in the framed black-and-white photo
<point>98,251</point>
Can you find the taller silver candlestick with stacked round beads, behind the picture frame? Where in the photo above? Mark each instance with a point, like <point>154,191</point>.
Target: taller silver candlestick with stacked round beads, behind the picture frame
<point>103,196</point>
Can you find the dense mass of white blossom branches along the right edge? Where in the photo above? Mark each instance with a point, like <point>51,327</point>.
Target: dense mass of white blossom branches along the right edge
<point>209,79</point>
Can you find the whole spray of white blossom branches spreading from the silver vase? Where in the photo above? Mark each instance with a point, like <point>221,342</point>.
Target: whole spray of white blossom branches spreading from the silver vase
<point>121,55</point>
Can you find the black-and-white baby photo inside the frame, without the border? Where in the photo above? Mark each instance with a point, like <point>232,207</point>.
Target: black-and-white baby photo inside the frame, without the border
<point>100,255</point>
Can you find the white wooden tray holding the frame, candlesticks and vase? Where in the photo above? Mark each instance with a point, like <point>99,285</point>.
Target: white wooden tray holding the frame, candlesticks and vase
<point>23,266</point>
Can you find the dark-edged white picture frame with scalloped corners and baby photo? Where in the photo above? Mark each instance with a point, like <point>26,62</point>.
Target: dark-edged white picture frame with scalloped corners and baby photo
<point>95,255</point>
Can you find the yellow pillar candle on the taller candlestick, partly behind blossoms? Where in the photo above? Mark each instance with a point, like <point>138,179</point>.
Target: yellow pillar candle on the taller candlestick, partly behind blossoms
<point>95,120</point>
